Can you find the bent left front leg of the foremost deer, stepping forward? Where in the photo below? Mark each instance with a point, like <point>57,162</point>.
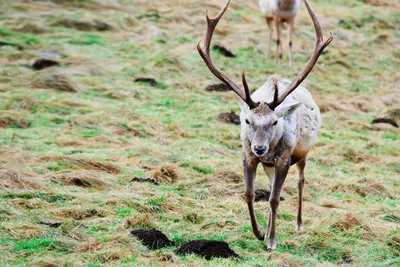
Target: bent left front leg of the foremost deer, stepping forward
<point>250,169</point>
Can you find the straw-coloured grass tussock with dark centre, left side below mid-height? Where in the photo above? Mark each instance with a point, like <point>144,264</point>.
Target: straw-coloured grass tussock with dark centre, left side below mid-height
<point>80,179</point>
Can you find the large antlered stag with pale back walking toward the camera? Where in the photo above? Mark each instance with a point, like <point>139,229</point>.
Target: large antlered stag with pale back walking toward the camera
<point>279,126</point>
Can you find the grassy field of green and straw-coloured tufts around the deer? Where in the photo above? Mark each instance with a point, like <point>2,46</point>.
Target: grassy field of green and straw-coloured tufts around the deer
<point>72,137</point>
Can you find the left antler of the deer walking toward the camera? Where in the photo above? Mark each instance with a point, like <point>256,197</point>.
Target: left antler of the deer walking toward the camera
<point>205,54</point>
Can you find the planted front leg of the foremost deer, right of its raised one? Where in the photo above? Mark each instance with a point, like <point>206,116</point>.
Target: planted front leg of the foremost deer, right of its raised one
<point>281,170</point>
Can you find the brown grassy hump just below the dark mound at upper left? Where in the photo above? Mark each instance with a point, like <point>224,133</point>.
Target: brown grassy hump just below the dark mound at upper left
<point>55,81</point>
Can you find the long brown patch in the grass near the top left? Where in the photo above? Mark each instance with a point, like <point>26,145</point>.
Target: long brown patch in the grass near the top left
<point>83,25</point>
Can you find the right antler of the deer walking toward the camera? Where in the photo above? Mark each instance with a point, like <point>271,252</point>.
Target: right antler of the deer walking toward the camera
<point>319,48</point>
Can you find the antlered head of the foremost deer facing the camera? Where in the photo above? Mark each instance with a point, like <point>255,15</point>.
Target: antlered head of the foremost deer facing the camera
<point>262,121</point>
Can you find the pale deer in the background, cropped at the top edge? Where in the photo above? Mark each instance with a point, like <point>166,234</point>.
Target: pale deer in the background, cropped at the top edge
<point>280,12</point>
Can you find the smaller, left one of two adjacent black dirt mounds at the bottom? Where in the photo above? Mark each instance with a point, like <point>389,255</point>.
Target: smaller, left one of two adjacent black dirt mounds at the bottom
<point>152,238</point>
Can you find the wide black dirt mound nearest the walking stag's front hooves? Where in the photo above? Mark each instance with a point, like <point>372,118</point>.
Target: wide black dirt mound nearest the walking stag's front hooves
<point>207,249</point>
